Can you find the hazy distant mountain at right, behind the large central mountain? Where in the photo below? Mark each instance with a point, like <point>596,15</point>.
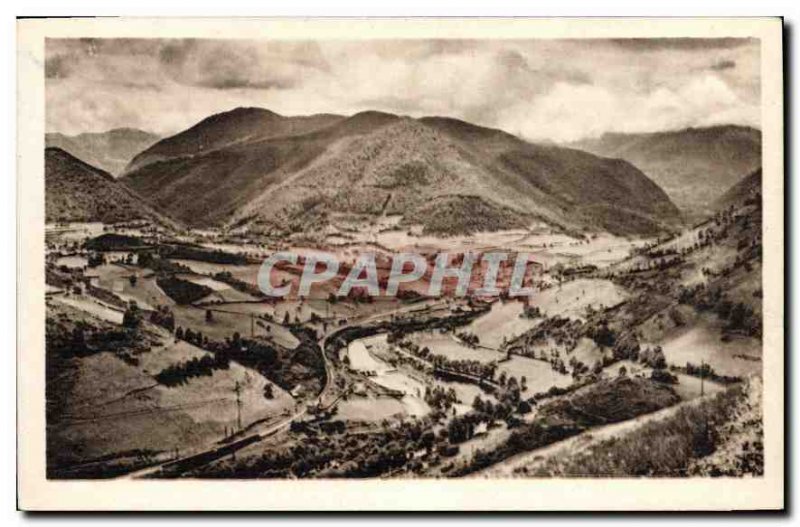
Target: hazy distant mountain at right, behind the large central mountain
<point>694,165</point>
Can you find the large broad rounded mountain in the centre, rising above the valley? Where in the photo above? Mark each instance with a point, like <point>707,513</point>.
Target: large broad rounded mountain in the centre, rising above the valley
<point>253,167</point>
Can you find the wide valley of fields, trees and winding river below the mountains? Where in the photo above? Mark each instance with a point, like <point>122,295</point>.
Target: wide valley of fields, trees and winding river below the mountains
<point>634,358</point>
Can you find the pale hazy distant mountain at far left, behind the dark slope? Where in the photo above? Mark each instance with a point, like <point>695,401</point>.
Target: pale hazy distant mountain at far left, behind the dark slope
<point>109,151</point>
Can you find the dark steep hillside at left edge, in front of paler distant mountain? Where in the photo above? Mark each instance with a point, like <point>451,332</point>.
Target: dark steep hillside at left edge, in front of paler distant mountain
<point>76,191</point>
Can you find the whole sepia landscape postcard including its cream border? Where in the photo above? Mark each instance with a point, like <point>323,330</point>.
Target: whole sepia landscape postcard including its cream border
<point>273,255</point>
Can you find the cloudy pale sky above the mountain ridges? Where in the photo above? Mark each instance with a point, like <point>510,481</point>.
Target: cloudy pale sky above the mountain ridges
<point>542,90</point>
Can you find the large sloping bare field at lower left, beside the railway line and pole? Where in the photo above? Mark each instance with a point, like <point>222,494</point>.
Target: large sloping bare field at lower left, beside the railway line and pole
<point>113,409</point>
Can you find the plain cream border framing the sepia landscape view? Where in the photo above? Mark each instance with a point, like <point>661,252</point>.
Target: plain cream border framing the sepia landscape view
<point>36,493</point>
